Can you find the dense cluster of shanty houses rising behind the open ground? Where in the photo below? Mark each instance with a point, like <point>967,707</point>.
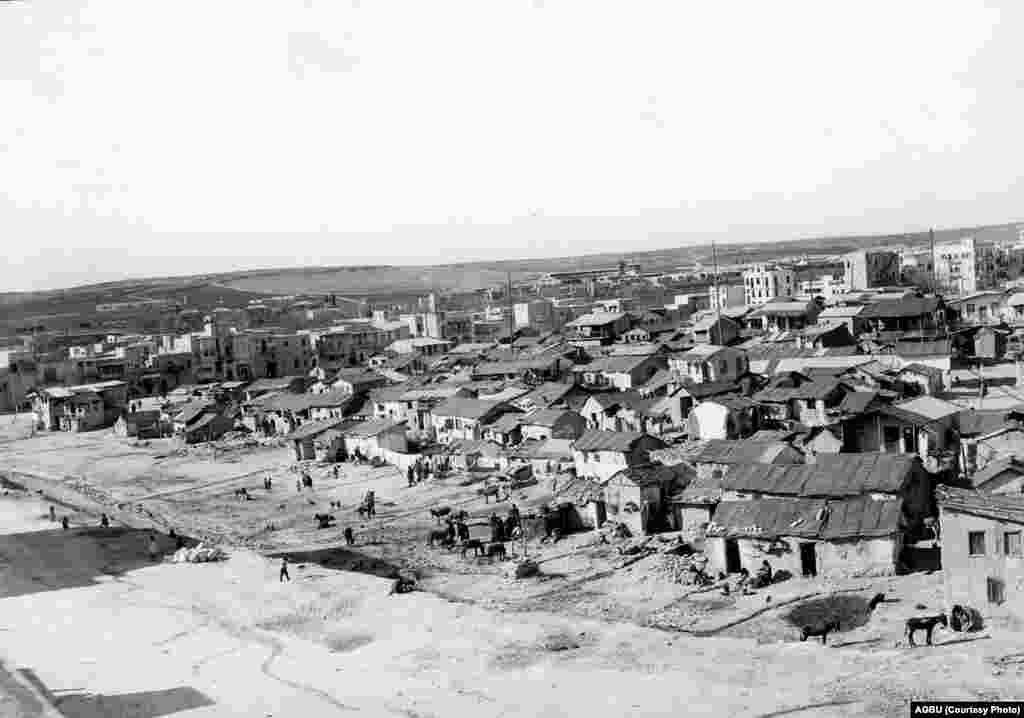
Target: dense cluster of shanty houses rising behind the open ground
<point>818,434</point>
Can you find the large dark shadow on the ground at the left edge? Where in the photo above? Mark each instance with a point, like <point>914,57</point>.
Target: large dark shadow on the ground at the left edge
<point>51,561</point>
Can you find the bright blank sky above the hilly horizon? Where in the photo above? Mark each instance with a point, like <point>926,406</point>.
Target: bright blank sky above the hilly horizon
<point>141,139</point>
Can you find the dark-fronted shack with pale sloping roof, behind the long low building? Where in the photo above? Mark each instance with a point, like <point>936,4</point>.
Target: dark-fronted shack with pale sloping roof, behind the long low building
<point>926,427</point>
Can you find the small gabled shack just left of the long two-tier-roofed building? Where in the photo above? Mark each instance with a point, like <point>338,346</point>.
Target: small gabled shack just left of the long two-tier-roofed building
<point>637,497</point>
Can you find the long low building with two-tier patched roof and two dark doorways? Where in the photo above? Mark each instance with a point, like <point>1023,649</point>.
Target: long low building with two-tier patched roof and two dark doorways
<point>843,516</point>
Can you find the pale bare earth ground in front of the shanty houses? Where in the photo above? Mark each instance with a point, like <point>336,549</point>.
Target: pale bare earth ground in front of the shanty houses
<point>109,633</point>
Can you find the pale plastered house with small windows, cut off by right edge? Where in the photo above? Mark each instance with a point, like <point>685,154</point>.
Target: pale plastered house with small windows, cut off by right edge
<point>983,556</point>
